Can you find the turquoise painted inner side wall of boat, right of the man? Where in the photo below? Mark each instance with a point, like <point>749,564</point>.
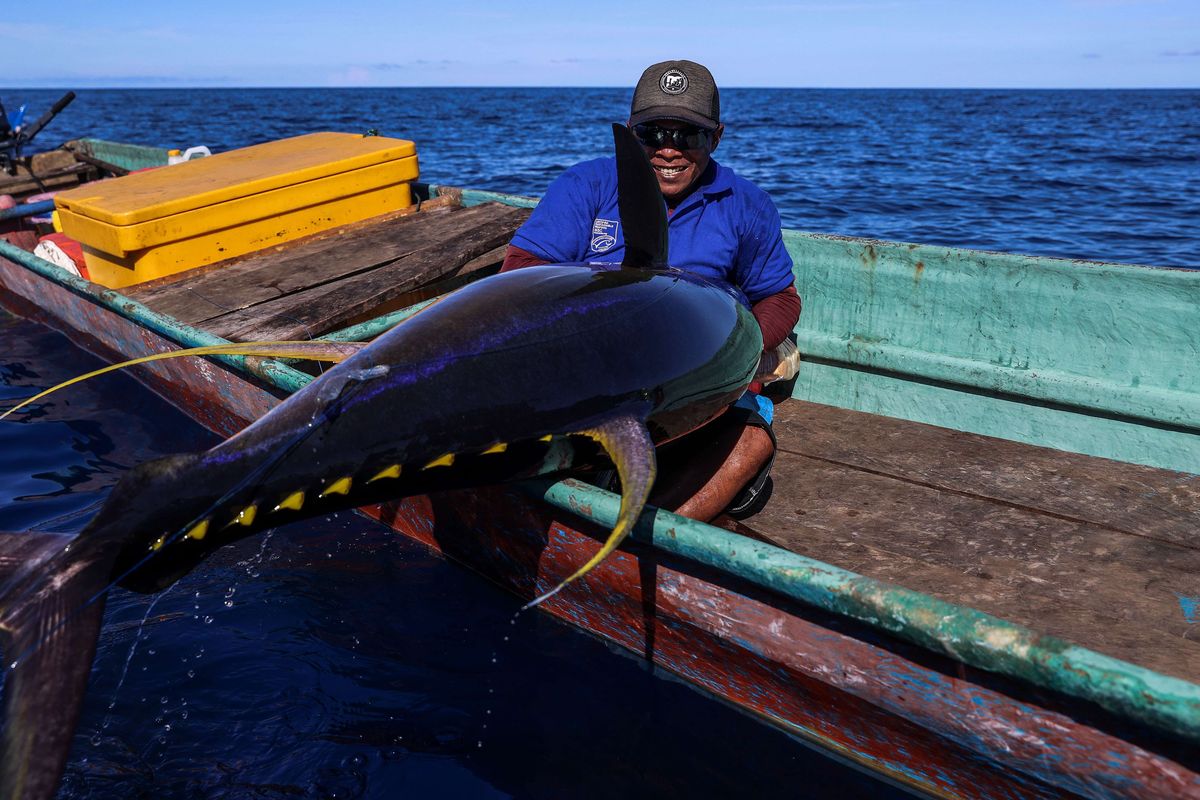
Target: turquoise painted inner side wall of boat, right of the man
<point>1078,356</point>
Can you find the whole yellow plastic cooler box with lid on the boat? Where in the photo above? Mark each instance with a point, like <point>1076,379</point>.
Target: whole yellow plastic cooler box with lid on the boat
<point>164,221</point>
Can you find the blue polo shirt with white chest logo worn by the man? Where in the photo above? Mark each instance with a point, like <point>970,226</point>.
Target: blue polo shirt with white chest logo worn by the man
<point>728,230</point>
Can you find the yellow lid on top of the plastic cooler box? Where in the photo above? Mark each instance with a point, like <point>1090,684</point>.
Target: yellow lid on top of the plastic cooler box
<point>131,212</point>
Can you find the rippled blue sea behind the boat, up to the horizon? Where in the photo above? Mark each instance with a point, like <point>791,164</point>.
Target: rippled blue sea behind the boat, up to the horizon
<point>1103,176</point>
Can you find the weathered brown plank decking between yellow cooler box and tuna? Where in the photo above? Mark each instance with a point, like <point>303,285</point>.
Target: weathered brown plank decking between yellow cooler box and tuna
<point>325,282</point>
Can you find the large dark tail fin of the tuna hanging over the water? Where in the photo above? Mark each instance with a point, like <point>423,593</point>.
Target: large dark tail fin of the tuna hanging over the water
<point>50,629</point>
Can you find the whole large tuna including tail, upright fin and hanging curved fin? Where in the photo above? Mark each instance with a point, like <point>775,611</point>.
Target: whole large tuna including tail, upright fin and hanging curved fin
<point>524,374</point>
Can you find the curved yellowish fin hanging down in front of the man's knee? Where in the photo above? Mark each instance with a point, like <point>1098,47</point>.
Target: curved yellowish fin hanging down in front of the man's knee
<point>629,446</point>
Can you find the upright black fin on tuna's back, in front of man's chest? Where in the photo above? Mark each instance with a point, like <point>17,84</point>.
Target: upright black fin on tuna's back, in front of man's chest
<point>644,214</point>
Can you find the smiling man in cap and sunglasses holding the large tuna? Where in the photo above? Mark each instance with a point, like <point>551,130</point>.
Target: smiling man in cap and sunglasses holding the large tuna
<point>721,226</point>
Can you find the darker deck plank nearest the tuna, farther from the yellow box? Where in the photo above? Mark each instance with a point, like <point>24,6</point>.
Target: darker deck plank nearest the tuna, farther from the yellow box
<point>311,312</point>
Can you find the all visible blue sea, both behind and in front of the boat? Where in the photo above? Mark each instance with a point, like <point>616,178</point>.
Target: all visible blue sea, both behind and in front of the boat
<point>335,660</point>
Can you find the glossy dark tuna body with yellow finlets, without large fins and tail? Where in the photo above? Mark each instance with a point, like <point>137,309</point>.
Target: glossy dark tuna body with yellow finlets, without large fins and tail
<point>463,394</point>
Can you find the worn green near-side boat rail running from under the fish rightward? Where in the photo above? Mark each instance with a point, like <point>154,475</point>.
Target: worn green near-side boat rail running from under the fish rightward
<point>961,633</point>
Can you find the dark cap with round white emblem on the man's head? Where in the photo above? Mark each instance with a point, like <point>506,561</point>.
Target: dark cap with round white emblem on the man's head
<point>677,91</point>
